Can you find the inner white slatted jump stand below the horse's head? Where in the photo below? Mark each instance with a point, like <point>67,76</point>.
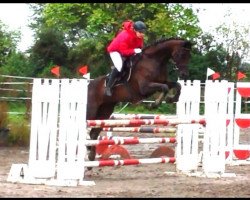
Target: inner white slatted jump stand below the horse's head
<point>188,107</point>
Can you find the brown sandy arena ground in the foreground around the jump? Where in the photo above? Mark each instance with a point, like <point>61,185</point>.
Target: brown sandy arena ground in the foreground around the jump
<point>128,181</point>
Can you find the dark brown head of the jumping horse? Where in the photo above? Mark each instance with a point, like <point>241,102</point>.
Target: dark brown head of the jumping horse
<point>180,56</point>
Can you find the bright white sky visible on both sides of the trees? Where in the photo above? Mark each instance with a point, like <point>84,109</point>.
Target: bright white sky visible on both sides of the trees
<point>16,17</point>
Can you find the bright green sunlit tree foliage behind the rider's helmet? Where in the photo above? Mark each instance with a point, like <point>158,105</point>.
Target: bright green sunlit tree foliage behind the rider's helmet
<point>102,20</point>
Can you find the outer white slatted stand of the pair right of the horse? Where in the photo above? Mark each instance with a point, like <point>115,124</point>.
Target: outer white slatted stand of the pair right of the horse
<point>216,94</point>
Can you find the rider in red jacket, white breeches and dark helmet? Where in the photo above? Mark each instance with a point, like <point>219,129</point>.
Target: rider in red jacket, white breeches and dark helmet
<point>126,43</point>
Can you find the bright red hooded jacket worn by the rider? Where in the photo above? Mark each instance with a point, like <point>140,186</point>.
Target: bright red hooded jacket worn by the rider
<point>126,41</point>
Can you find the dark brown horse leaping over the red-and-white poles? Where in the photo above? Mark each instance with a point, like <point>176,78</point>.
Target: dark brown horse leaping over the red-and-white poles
<point>148,76</point>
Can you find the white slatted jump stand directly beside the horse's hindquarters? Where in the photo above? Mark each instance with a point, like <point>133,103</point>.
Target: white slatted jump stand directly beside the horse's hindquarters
<point>72,131</point>
